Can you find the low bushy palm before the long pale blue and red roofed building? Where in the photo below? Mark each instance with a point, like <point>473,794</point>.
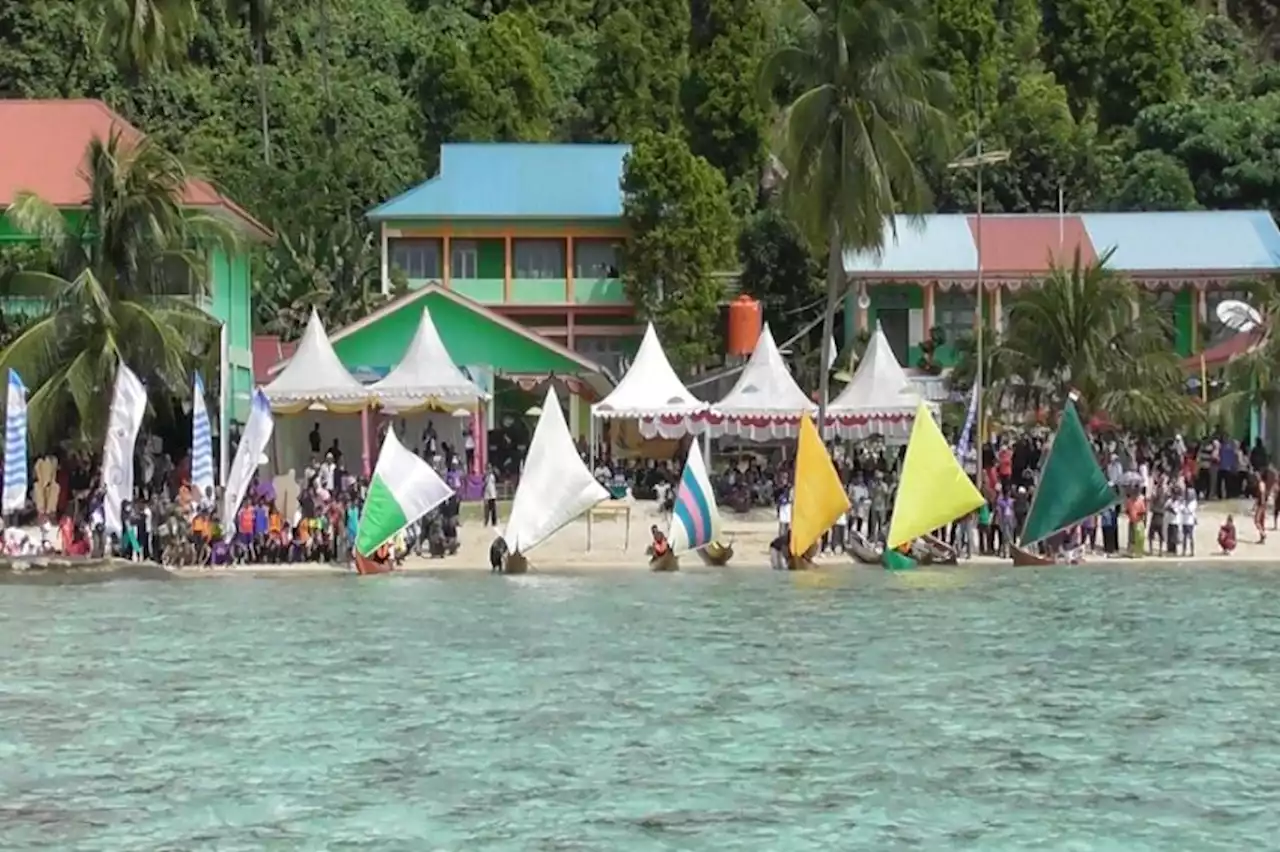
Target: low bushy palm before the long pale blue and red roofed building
<point>1078,332</point>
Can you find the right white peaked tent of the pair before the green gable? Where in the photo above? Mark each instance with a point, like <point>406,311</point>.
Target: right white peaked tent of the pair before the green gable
<point>427,377</point>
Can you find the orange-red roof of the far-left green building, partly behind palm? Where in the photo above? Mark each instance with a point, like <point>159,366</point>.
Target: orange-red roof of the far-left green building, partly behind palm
<point>44,153</point>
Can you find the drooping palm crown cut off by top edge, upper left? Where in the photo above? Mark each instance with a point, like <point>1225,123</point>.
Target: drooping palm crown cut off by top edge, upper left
<point>147,35</point>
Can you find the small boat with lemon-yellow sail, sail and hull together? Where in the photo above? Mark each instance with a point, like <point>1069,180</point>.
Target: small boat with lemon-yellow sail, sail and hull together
<point>934,492</point>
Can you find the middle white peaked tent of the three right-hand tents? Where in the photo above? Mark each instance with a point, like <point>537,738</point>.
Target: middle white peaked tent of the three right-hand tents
<point>766,404</point>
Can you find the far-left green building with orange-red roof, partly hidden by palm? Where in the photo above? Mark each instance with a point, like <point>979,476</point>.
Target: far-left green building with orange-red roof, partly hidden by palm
<point>44,154</point>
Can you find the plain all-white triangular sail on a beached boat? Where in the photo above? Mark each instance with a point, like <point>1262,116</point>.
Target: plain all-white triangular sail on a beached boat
<point>556,485</point>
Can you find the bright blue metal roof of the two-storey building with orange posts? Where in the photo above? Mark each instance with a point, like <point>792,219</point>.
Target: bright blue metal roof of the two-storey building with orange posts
<point>518,181</point>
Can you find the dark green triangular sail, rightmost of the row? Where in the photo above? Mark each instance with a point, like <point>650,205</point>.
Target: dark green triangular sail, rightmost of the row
<point>1072,485</point>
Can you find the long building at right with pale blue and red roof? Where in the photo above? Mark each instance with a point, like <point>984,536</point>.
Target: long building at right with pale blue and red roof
<point>927,276</point>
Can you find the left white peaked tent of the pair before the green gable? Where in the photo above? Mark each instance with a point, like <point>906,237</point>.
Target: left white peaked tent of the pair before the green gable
<point>316,377</point>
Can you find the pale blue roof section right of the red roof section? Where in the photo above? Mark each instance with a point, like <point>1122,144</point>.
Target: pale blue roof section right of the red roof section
<point>1196,241</point>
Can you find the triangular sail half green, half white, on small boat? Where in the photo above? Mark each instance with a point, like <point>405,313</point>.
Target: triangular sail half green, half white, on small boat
<point>404,489</point>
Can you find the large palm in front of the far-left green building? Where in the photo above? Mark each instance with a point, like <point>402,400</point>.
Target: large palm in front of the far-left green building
<point>124,286</point>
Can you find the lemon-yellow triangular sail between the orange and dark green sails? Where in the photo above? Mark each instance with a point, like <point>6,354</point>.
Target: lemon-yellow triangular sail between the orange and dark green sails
<point>934,489</point>
